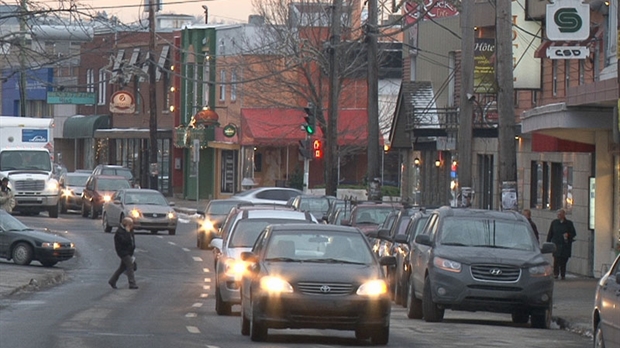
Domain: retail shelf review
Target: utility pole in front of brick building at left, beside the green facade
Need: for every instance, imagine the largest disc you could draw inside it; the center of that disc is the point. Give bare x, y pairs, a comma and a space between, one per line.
153, 148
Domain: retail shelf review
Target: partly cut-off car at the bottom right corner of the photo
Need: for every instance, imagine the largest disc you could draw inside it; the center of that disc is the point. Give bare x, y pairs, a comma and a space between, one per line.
606, 314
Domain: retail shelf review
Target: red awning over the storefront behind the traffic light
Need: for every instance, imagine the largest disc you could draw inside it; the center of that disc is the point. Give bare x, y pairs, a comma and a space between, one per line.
282, 127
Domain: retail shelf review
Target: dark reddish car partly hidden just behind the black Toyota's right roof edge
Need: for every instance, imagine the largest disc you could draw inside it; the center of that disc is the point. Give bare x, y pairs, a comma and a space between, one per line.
368, 216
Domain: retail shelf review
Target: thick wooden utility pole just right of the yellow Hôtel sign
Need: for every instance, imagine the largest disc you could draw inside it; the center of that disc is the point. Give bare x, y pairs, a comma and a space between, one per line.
505, 93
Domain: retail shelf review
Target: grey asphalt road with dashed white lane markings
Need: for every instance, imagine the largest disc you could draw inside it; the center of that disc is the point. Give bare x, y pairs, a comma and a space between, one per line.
175, 307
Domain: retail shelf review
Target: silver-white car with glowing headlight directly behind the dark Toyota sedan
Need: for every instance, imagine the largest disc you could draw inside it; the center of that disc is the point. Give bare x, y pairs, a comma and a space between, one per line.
242, 227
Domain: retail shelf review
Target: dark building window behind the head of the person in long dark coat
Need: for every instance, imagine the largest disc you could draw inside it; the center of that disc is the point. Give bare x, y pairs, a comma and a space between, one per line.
551, 186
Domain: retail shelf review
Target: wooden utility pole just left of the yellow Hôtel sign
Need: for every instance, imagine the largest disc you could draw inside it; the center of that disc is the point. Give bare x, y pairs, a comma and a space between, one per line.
466, 102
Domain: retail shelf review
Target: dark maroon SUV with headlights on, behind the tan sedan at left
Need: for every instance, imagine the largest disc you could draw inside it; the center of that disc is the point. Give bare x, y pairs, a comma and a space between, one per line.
98, 190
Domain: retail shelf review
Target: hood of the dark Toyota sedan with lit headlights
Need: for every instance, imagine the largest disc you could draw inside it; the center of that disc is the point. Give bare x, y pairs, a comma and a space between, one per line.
323, 272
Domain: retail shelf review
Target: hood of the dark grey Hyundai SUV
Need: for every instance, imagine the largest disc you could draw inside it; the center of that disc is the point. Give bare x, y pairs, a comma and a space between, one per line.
474, 255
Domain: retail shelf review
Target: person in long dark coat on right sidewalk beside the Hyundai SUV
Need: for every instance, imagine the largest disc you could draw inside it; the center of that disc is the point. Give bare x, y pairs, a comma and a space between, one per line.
561, 233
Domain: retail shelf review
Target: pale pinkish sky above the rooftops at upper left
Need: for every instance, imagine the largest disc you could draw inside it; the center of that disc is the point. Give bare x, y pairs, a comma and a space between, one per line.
128, 11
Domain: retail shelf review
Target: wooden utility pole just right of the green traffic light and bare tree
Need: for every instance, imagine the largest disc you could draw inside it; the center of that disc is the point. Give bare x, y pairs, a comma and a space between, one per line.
373, 95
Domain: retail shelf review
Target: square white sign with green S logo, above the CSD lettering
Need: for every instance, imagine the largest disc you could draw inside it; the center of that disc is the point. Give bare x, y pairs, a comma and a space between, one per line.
568, 20
